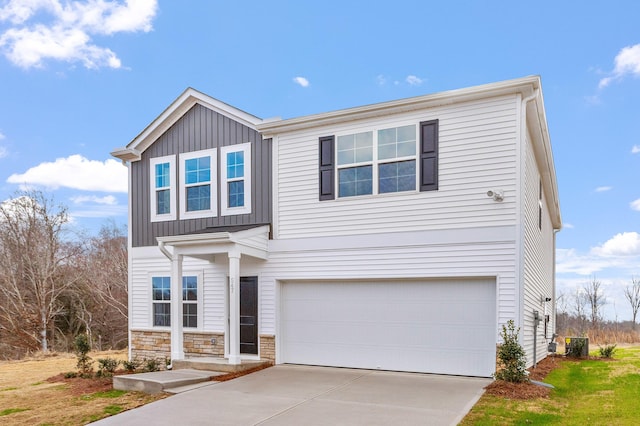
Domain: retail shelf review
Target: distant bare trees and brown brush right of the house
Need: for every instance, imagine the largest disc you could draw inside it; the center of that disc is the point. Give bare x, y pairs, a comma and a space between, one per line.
580, 314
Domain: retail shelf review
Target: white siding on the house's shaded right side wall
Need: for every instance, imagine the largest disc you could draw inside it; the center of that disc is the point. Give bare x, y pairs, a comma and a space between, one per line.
538, 260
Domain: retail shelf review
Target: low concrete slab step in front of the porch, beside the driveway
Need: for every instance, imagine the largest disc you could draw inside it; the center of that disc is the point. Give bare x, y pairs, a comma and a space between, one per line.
160, 381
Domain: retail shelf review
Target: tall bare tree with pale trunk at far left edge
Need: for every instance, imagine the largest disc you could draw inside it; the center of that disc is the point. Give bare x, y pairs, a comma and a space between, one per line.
36, 267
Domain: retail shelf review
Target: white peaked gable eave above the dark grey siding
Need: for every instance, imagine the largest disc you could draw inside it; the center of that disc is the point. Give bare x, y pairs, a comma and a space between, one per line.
190, 97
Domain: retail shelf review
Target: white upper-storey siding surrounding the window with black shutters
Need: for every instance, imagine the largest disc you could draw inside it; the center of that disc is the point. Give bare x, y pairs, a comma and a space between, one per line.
477, 152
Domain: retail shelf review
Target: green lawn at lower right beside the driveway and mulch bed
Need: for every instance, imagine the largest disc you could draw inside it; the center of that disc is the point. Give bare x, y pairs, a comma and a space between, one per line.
588, 392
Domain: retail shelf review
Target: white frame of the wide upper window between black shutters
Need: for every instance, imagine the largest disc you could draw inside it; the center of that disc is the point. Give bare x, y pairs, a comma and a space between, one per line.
375, 162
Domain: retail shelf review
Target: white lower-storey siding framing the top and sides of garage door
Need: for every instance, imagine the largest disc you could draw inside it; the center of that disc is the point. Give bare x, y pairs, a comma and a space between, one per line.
483, 252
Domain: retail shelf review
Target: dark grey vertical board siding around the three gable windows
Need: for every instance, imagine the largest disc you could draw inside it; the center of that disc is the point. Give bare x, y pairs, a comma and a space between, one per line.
200, 128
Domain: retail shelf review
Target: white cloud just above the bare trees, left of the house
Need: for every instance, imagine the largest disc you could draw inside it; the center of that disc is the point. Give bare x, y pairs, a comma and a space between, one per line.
76, 172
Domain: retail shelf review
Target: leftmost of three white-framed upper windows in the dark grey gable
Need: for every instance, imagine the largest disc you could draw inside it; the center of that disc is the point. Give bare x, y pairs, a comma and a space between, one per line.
163, 189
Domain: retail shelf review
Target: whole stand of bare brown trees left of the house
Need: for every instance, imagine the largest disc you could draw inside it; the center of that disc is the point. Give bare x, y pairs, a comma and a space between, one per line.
56, 284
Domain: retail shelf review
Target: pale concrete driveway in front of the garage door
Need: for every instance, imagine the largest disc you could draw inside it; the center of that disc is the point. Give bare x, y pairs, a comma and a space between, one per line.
304, 395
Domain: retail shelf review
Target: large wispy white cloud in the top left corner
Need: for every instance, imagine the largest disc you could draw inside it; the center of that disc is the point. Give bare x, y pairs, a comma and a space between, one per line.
67, 33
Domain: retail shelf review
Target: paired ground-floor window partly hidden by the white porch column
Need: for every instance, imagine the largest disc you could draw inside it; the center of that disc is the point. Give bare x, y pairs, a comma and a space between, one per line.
161, 295
